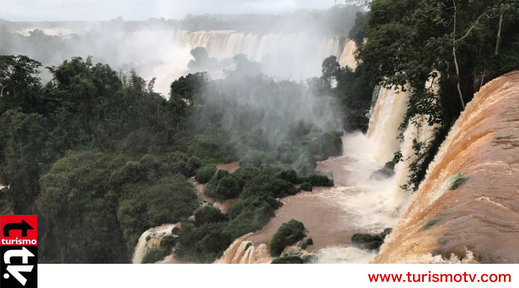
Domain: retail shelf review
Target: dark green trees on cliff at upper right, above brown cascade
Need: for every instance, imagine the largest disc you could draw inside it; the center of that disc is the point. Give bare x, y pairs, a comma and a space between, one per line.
460, 44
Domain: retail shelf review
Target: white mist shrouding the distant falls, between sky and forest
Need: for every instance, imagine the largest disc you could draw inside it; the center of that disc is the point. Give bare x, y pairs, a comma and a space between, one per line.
290, 46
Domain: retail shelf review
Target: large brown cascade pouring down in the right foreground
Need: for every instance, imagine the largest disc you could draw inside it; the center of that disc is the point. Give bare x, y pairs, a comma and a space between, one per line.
477, 218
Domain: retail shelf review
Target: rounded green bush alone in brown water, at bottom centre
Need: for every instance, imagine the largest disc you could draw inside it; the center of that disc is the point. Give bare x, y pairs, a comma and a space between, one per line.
288, 234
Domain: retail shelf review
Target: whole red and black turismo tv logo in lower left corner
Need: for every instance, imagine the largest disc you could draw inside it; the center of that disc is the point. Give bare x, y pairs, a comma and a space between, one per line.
19, 247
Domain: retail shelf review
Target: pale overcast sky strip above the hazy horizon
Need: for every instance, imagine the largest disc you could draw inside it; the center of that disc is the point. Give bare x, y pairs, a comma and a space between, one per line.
39, 10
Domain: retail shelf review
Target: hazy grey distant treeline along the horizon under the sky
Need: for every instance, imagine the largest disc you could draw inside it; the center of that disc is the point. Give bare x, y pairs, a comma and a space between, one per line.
336, 21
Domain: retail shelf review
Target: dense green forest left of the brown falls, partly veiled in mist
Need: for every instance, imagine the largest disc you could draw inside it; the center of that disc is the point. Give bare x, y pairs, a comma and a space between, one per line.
101, 157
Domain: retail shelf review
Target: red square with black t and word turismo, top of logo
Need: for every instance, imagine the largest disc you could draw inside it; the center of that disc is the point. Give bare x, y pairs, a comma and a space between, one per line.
18, 230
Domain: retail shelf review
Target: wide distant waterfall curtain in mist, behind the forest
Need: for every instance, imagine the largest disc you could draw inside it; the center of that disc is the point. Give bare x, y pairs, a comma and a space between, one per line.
297, 55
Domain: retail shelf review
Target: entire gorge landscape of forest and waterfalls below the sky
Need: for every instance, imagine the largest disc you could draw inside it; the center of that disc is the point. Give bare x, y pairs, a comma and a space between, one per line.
313, 137
